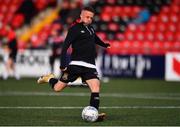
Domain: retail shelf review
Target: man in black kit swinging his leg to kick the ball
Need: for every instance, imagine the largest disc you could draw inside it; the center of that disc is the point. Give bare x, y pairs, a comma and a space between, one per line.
83, 39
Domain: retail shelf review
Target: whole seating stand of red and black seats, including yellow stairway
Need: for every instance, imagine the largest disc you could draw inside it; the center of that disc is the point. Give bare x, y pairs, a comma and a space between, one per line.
159, 34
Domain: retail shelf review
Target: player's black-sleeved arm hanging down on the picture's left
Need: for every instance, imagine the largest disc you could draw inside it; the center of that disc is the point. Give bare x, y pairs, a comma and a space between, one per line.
71, 35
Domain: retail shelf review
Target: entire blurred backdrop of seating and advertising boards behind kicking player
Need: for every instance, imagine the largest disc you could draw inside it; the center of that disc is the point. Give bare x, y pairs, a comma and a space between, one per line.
144, 37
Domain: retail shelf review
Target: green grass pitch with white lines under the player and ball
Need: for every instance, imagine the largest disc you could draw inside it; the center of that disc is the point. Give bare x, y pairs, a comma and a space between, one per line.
127, 102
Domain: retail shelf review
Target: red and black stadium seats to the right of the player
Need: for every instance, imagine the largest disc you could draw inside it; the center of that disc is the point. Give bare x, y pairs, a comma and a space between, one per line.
157, 36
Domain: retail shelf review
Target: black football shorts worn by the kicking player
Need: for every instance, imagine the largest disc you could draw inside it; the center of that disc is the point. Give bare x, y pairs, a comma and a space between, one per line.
74, 71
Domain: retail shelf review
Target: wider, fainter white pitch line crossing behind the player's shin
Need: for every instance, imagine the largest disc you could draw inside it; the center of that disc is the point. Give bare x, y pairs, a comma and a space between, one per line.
160, 96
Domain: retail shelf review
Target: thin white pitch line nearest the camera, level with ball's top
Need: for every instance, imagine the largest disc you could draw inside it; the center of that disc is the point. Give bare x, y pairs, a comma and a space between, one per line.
111, 107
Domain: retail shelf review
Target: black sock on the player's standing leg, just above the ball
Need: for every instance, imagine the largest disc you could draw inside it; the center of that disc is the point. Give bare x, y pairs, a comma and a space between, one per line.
94, 101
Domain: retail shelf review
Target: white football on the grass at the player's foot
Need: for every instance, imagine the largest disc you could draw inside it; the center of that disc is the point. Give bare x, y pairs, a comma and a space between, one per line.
89, 114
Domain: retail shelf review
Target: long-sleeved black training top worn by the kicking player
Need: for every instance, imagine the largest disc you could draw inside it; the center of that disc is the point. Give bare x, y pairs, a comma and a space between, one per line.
83, 40
